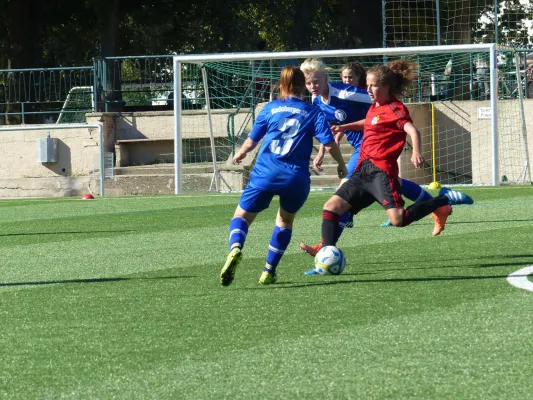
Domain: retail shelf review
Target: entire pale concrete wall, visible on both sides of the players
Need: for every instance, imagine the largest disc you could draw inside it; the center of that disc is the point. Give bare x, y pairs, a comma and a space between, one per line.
21, 175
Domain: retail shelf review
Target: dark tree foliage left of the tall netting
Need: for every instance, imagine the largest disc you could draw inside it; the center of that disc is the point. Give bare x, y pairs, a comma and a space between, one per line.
65, 32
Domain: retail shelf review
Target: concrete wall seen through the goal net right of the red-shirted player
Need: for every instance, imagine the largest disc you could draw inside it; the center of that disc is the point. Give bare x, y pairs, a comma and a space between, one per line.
464, 142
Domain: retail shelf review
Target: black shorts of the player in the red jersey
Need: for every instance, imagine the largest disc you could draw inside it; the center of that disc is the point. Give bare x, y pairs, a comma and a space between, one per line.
369, 184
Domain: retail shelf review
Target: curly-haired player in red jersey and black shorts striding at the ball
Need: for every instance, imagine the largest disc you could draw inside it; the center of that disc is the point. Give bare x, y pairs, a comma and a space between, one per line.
386, 127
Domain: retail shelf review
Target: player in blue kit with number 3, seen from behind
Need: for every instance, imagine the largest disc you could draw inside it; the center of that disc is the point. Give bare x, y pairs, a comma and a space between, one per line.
287, 126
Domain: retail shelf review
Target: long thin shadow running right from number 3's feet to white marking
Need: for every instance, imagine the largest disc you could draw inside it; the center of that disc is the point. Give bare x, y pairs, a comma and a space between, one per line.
294, 285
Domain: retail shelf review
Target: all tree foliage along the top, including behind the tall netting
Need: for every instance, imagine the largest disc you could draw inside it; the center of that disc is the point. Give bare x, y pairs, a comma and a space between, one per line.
65, 32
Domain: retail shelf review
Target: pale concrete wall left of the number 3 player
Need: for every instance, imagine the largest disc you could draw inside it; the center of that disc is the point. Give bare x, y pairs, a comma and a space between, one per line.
22, 176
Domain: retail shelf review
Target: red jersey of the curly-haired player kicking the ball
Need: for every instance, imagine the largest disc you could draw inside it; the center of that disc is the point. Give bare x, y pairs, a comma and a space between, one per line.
384, 137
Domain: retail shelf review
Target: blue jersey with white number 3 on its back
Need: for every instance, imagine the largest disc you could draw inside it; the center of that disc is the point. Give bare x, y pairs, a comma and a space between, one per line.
288, 127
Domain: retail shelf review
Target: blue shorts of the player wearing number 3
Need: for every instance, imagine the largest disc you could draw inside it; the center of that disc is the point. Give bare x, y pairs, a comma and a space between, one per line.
291, 199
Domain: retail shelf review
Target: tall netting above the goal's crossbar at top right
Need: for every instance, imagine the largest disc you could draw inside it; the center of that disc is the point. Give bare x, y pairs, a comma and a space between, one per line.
448, 22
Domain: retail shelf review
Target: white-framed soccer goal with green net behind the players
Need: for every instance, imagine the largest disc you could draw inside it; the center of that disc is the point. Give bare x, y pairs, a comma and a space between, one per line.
462, 99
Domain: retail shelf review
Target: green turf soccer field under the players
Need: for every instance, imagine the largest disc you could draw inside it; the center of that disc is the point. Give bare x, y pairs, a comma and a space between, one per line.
119, 298
